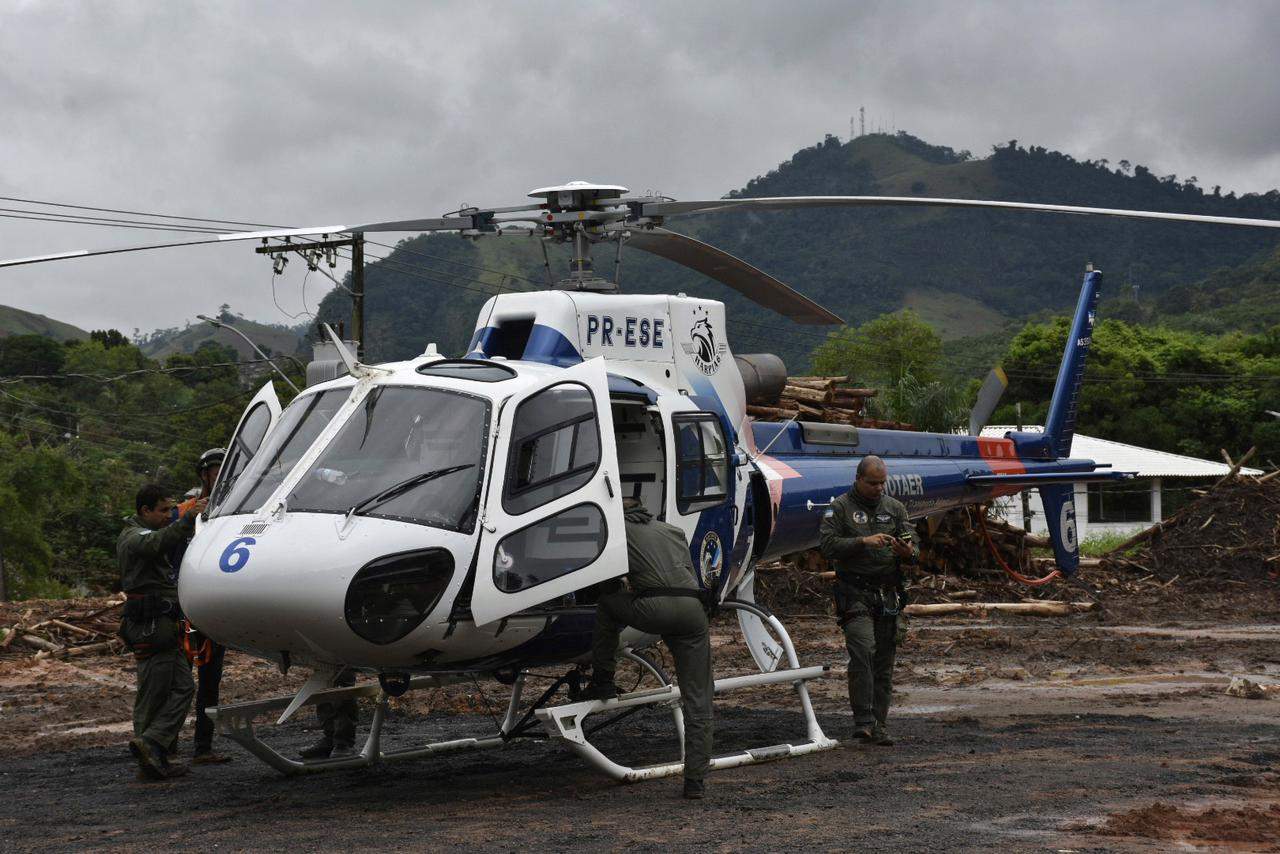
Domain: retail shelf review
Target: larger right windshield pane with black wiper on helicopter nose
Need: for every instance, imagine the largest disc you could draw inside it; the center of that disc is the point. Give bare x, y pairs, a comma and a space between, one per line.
427, 444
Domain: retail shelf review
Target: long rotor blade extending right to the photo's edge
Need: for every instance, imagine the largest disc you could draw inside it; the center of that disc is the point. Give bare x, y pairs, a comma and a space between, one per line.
796, 203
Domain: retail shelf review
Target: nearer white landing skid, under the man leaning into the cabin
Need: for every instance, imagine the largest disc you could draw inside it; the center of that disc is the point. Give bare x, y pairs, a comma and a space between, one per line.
568, 723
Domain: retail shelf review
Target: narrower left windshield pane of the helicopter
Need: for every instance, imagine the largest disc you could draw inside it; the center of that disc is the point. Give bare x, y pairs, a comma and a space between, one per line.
299, 427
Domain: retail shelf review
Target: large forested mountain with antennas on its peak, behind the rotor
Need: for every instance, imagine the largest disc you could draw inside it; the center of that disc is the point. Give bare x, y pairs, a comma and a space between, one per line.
970, 272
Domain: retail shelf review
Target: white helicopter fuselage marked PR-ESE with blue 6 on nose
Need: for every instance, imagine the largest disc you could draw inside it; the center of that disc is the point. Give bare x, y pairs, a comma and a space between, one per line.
566, 404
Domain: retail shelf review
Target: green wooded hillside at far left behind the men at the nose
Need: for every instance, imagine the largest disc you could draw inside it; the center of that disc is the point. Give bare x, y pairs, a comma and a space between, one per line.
83, 426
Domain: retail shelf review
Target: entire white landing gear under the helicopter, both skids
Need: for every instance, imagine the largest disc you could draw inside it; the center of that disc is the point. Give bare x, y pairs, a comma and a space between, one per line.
564, 723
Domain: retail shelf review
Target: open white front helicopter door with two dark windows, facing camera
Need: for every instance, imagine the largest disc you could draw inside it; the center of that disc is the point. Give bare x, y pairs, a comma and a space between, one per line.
554, 515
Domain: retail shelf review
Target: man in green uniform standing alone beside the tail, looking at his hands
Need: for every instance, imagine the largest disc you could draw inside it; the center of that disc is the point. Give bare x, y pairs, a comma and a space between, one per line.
866, 535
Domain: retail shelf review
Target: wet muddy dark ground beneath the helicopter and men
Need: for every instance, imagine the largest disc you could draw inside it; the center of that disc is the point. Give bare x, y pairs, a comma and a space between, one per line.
1075, 734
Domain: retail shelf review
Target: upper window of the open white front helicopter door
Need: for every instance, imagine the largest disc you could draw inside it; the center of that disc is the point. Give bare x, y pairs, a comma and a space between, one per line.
555, 447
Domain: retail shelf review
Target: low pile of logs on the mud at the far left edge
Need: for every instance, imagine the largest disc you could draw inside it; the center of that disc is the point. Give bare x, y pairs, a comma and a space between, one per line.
90, 631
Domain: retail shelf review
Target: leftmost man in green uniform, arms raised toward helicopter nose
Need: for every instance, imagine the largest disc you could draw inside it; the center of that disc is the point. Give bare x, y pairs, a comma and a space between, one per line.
152, 629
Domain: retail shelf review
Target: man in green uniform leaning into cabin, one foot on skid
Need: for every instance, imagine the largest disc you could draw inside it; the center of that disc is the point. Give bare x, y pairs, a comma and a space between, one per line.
665, 600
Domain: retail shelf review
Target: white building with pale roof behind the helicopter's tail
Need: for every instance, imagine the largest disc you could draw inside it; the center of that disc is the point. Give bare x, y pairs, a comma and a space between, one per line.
1163, 485
